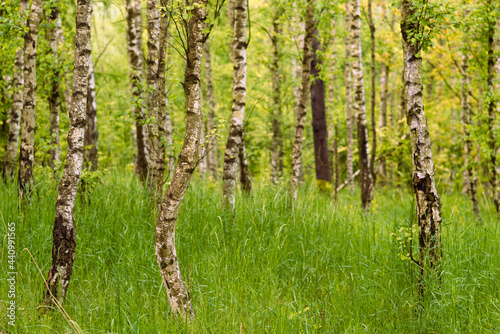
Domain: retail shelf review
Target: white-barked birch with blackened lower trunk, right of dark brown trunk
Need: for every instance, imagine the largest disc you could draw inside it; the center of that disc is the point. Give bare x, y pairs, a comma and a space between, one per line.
360, 108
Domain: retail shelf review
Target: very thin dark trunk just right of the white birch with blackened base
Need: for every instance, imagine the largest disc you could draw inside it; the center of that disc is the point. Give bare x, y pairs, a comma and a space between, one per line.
373, 95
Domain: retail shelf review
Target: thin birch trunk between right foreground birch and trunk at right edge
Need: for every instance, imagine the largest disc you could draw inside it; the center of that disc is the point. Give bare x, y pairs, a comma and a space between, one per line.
469, 178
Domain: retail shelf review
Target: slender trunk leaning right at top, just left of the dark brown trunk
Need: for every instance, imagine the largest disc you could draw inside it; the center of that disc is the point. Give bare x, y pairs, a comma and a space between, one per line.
301, 106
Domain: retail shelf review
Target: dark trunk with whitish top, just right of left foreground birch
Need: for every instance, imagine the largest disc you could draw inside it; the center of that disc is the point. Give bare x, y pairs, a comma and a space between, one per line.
91, 134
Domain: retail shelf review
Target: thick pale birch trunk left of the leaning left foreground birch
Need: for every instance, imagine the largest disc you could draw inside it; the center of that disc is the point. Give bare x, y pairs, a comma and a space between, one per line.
27, 152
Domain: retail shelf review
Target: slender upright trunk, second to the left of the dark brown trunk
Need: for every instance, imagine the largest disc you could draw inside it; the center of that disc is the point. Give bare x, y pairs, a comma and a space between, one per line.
277, 113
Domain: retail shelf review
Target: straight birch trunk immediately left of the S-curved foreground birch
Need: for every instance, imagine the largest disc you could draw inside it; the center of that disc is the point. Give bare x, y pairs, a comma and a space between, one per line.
156, 165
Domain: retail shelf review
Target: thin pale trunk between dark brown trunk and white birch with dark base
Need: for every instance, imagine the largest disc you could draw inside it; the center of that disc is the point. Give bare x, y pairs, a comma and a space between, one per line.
348, 99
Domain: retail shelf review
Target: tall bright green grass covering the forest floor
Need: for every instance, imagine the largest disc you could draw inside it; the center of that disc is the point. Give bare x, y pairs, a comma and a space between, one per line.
322, 268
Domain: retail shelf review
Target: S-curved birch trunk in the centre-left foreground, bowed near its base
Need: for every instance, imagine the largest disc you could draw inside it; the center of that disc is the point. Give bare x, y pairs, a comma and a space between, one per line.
166, 256
